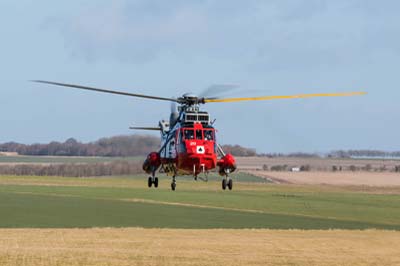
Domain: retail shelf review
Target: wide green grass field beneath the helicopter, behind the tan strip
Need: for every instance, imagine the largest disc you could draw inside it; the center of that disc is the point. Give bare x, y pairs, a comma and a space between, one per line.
55, 202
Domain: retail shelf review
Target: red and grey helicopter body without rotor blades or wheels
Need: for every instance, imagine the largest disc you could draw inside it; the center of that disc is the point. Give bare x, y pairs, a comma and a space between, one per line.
189, 148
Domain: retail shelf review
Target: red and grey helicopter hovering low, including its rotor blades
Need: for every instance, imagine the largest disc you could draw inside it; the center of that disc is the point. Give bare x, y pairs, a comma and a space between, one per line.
188, 140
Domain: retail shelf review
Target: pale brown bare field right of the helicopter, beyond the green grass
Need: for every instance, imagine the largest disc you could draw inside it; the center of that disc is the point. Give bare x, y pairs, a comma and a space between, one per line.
321, 171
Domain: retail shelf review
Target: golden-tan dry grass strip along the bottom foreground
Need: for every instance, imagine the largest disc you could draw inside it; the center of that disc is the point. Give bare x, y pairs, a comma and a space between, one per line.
135, 246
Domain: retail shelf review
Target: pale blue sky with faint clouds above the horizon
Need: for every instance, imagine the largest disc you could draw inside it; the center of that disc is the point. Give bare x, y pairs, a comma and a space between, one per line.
167, 48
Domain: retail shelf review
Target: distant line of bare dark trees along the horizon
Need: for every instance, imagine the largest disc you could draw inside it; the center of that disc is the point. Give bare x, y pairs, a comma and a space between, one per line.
141, 145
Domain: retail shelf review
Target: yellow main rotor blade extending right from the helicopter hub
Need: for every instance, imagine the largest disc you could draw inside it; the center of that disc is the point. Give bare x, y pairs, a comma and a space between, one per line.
298, 96
